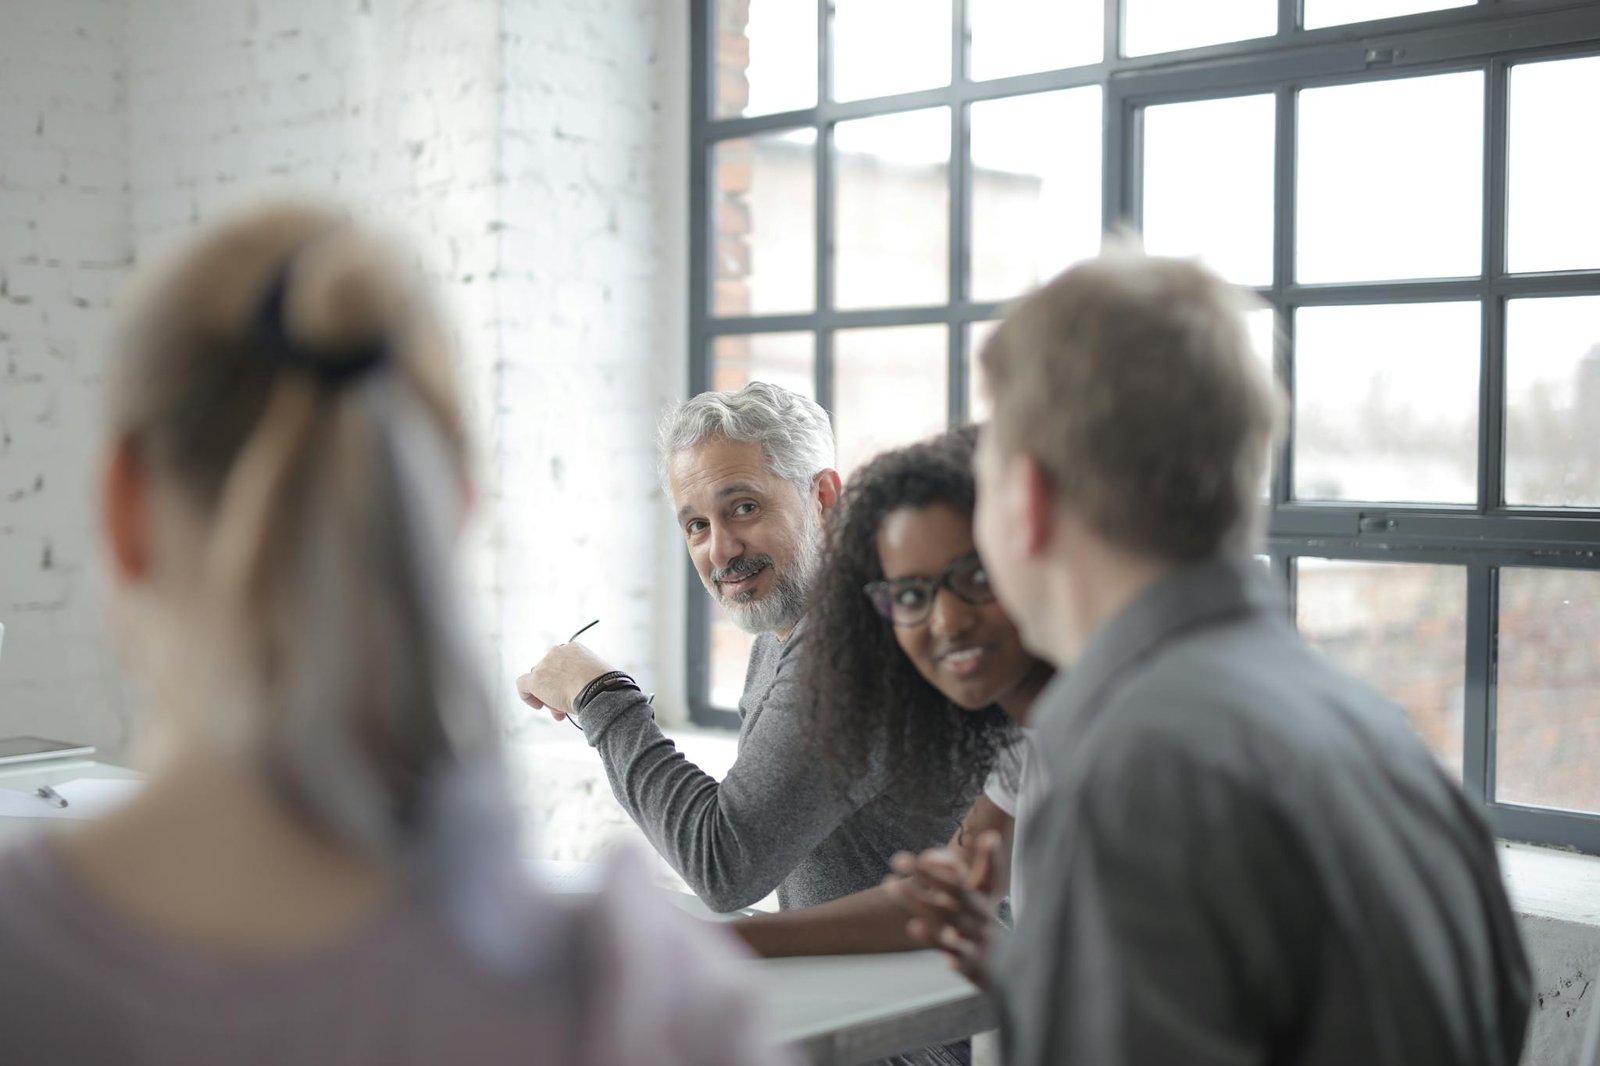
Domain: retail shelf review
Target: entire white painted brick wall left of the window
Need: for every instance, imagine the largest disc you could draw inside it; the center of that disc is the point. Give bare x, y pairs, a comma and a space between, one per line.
534, 150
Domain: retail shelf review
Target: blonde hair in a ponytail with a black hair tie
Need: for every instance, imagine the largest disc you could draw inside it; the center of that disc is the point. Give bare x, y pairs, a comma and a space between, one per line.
294, 383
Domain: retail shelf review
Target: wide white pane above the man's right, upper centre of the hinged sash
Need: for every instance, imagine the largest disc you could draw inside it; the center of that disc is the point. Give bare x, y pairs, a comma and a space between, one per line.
1391, 180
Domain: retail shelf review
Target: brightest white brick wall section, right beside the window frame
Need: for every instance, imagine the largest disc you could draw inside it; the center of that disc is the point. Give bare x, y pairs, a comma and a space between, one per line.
593, 300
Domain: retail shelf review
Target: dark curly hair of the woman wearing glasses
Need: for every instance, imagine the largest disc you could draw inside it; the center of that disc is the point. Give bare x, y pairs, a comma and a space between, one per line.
871, 702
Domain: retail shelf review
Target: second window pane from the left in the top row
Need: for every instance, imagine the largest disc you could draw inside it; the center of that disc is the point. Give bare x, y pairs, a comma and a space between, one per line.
886, 47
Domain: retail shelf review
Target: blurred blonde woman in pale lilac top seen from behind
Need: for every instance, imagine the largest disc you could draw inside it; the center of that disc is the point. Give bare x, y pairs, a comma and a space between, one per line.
322, 867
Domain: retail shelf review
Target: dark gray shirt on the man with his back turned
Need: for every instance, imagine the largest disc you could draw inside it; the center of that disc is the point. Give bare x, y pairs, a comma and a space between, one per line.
1249, 857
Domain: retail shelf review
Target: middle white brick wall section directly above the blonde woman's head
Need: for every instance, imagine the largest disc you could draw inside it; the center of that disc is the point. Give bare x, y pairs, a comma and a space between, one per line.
388, 105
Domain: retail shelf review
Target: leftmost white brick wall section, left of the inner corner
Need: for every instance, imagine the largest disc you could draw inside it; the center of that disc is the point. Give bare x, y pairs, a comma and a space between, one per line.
63, 250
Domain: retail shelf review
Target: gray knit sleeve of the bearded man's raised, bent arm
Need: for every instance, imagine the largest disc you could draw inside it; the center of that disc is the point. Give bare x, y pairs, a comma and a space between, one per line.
732, 841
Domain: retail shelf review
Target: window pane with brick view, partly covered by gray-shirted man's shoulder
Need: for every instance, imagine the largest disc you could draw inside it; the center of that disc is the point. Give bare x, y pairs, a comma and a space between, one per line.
1402, 630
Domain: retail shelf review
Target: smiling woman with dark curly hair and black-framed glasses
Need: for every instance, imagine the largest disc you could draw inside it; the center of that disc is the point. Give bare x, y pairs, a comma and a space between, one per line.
914, 663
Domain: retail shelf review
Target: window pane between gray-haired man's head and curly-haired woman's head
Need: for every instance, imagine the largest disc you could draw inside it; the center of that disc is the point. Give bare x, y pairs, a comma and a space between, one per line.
890, 388
